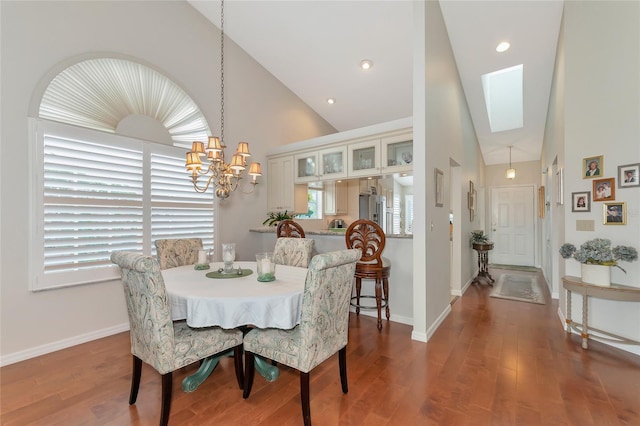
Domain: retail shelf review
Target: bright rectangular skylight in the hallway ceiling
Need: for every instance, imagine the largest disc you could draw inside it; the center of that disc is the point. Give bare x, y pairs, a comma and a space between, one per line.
503, 98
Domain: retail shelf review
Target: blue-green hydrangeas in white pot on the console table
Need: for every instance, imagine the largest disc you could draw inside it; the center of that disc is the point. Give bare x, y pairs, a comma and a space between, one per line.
596, 258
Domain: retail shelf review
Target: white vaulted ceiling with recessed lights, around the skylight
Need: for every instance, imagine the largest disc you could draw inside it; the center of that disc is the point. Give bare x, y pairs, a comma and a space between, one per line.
315, 49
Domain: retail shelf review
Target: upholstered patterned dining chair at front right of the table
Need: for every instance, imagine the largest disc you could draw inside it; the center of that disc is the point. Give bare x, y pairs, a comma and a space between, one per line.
323, 328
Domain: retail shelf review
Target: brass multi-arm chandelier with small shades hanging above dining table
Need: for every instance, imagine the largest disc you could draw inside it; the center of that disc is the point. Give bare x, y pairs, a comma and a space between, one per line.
225, 177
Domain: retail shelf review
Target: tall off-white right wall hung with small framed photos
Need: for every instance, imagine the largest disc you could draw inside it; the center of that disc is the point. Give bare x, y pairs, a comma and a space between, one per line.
597, 114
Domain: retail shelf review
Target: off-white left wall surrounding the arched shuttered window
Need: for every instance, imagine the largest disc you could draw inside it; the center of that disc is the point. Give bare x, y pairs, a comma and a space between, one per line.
39, 39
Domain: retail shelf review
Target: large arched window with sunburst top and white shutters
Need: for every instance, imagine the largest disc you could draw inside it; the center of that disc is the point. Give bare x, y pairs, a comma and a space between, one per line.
108, 170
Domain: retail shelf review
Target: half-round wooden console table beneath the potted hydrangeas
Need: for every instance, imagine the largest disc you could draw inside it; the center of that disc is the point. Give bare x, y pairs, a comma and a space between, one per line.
613, 292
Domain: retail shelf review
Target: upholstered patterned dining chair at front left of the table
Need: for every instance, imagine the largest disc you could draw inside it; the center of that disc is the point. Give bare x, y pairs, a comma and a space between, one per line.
157, 340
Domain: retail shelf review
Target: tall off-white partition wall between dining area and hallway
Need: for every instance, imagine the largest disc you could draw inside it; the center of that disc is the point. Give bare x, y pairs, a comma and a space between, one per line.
443, 132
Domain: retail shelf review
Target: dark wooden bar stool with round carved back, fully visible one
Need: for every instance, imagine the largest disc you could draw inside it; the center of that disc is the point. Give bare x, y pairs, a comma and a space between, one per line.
369, 238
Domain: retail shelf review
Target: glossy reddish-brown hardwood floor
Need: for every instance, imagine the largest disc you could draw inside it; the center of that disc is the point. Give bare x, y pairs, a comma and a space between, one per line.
492, 362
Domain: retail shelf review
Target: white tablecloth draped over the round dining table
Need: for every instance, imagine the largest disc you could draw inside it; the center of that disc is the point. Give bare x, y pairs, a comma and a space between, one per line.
234, 302
